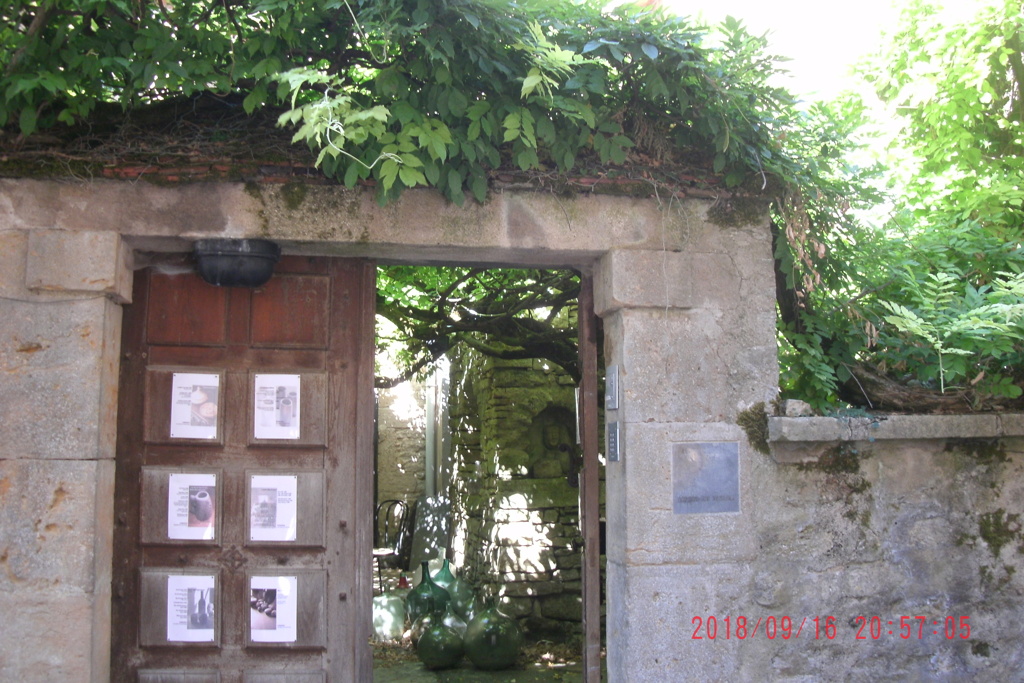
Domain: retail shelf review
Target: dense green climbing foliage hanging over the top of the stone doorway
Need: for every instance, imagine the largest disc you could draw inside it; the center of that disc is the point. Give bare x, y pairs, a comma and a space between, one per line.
410, 94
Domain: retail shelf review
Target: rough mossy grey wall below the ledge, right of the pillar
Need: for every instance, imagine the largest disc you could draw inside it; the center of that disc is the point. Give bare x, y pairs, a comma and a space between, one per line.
928, 530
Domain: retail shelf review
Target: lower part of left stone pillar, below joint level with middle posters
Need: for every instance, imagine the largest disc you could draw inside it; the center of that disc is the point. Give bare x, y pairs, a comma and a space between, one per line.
56, 569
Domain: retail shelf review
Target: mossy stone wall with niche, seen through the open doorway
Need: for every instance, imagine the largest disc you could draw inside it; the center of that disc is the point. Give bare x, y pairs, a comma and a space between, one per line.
517, 507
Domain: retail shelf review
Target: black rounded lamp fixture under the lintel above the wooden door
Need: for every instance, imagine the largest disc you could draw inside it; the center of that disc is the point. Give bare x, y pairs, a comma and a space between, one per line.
236, 263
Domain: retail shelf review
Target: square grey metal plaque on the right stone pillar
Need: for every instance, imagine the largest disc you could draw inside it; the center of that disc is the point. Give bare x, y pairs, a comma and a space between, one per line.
706, 478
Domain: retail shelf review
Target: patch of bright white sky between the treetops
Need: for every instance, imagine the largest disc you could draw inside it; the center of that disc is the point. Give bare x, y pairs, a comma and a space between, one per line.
823, 37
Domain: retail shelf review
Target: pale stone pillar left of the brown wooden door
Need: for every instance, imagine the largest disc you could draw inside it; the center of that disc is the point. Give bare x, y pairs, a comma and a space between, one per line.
60, 339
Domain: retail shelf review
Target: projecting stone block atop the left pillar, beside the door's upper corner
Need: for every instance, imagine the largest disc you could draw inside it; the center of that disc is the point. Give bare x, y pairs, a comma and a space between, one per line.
79, 264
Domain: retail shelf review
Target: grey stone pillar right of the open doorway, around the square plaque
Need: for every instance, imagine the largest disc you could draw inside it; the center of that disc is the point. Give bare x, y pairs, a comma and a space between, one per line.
693, 333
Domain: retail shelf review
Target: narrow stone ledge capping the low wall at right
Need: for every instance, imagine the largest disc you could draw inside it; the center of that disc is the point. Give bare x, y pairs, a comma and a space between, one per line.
805, 440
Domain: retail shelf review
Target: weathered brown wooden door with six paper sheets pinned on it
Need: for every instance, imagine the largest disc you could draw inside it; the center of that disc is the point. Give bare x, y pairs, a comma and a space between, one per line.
244, 479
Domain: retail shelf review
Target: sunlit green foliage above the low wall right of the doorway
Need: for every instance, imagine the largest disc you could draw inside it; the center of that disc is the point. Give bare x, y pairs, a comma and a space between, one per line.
929, 298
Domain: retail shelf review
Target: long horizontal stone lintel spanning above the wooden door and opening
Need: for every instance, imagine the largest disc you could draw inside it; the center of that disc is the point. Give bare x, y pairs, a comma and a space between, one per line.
509, 230
